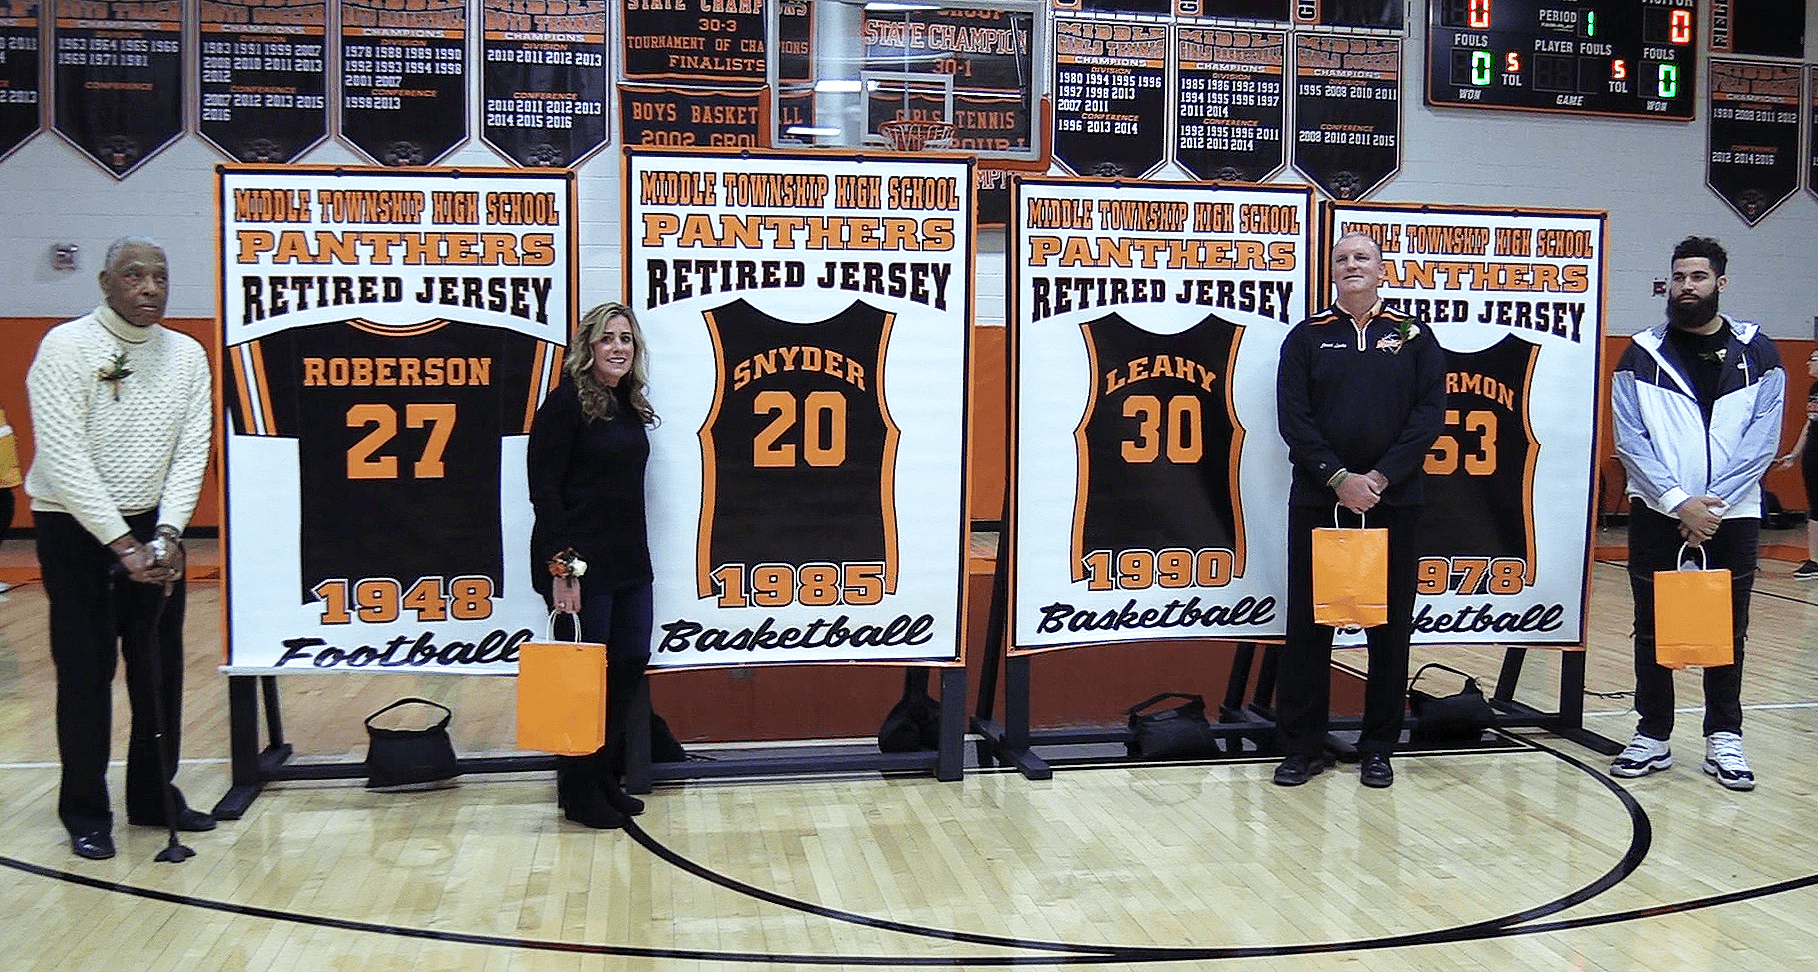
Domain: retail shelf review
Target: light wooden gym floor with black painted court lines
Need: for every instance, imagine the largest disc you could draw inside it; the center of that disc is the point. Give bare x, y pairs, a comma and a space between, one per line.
1524, 858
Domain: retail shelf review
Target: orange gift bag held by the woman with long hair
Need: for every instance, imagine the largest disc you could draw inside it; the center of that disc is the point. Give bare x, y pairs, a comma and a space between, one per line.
563, 695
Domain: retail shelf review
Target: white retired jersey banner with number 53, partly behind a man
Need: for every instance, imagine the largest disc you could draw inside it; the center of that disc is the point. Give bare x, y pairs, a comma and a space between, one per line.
1515, 297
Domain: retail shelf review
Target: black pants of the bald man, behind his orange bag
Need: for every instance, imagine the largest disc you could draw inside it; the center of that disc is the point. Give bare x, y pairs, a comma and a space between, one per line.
1304, 673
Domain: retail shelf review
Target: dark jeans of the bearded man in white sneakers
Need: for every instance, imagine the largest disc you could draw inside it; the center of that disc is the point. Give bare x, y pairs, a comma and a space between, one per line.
1655, 546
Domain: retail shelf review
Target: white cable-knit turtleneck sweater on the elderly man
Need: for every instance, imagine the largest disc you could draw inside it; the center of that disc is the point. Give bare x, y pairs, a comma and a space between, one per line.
101, 459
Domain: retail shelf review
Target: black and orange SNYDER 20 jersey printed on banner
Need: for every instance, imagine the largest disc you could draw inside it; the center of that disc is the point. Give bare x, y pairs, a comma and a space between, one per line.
799, 450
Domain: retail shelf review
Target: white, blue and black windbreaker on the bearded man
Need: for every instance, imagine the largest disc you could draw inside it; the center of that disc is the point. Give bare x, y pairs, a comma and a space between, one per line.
1663, 437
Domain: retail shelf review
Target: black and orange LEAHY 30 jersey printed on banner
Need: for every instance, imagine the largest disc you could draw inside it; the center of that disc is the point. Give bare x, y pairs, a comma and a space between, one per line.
1159, 444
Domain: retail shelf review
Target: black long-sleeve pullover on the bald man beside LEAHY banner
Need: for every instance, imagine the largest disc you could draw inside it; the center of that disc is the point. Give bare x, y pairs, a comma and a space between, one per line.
1359, 402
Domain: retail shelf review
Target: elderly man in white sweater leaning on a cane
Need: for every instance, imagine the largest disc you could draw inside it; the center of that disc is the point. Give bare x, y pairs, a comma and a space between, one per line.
121, 413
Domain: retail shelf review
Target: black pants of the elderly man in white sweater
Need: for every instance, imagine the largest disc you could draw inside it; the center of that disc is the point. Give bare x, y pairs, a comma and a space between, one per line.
99, 615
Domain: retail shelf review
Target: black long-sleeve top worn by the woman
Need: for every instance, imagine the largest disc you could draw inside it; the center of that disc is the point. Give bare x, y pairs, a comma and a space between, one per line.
588, 493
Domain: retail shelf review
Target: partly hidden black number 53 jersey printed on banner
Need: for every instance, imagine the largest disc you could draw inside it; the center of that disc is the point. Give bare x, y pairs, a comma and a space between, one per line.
1481, 473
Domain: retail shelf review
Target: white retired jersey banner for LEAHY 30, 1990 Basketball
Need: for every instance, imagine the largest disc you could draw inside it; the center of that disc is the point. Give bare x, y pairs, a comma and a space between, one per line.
1152, 482
